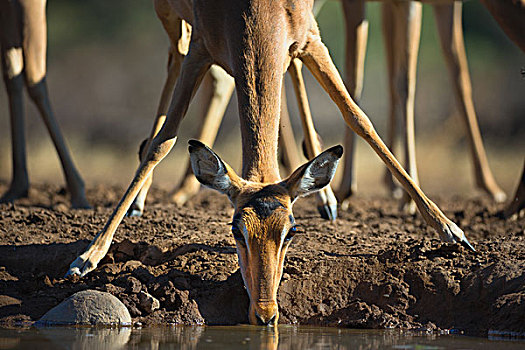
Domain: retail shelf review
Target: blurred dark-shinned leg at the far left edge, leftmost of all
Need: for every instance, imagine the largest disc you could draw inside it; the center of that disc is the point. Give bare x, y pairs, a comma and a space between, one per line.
12, 68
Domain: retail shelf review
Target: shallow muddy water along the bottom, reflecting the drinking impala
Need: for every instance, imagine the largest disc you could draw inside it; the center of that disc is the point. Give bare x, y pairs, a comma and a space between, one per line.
238, 337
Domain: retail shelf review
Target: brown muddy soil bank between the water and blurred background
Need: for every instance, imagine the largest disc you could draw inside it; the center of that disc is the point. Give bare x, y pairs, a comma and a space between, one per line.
372, 268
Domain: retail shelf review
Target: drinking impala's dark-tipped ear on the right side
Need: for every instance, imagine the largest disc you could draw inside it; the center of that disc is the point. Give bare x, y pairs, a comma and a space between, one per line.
315, 174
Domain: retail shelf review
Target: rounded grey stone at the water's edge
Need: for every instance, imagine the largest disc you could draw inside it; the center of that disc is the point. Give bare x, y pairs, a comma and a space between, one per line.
88, 307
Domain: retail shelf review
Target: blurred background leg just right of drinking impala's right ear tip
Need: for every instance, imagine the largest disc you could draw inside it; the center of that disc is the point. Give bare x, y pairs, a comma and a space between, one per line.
356, 39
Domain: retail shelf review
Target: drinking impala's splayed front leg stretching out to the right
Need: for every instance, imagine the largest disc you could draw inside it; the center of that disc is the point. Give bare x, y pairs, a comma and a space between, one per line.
318, 60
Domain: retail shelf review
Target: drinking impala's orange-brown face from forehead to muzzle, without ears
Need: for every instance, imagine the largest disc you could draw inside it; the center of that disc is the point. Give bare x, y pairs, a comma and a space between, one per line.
263, 214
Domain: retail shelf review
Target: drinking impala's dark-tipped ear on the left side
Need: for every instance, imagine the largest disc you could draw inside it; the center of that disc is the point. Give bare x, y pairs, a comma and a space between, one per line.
211, 171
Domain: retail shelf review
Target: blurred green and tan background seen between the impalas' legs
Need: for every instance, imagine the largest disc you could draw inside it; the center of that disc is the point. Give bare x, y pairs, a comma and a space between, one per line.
106, 67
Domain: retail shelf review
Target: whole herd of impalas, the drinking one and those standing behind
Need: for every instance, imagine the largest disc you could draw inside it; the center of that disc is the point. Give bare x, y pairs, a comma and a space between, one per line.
256, 42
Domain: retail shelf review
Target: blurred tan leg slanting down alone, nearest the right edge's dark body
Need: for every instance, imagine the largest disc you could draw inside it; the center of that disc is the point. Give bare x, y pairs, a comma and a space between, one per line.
448, 19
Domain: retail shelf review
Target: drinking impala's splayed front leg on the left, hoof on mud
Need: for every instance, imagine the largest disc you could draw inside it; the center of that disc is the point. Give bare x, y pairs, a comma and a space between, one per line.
193, 69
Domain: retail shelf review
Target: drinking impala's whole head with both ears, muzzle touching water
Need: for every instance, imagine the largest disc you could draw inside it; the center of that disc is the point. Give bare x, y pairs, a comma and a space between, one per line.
263, 224
